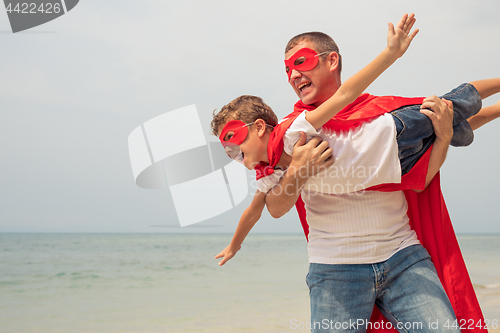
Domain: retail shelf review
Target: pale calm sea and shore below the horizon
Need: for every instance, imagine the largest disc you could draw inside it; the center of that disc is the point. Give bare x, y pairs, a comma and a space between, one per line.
172, 283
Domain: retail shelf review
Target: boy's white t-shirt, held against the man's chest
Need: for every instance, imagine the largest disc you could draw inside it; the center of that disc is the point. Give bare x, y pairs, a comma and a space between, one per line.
364, 156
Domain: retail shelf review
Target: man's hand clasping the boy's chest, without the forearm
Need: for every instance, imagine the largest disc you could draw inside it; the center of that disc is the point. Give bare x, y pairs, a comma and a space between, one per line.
310, 158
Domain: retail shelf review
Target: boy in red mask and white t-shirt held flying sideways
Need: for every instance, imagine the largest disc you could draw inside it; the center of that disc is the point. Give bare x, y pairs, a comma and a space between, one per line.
251, 147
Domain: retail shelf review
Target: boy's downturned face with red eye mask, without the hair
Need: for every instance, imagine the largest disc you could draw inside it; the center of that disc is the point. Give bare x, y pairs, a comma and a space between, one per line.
254, 146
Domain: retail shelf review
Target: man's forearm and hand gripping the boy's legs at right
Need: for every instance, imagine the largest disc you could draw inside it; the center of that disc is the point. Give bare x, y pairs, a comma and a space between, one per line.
442, 120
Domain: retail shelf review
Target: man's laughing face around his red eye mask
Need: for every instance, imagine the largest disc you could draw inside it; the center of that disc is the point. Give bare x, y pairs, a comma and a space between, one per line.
316, 85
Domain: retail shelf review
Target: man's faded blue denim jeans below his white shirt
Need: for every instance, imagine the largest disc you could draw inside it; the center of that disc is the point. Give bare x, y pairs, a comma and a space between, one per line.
405, 288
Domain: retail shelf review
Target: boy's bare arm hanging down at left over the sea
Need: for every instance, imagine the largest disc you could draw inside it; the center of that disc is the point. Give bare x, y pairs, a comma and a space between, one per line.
248, 219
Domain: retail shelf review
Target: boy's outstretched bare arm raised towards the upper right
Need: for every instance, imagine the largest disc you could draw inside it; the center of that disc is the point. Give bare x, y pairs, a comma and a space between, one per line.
398, 41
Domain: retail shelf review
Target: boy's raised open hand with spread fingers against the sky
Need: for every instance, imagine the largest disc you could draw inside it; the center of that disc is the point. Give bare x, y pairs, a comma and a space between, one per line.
399, 38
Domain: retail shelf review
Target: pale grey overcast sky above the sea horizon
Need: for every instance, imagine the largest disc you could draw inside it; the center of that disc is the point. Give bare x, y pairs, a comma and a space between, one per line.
73, 89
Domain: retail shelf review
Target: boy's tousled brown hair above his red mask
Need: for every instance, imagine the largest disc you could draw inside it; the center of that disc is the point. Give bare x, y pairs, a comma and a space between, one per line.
245, 108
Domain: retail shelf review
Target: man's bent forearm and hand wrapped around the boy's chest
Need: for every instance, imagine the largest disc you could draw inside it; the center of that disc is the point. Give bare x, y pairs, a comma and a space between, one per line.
307, 160
